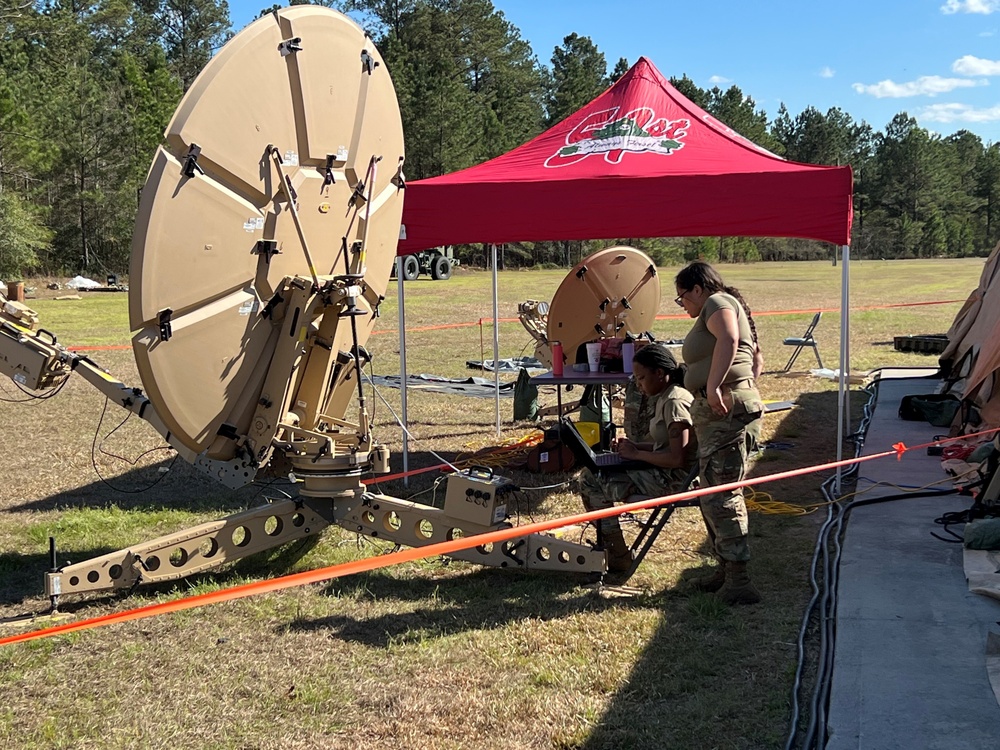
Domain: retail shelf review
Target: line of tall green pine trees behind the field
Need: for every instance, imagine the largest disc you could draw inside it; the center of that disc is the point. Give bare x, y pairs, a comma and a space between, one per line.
87, 88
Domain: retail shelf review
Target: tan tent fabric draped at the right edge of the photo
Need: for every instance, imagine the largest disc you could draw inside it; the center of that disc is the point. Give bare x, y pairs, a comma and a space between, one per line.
971, 360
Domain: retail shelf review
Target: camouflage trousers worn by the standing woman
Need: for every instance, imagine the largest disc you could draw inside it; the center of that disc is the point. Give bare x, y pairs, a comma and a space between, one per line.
723, 445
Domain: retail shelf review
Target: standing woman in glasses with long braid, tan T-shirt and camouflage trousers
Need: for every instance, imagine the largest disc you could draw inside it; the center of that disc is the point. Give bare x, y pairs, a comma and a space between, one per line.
723, 360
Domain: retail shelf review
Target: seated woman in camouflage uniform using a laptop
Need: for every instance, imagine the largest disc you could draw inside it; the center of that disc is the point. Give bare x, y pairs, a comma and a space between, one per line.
671, 451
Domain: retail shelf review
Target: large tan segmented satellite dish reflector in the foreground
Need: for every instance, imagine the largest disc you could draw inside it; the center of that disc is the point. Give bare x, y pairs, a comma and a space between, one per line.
277, 163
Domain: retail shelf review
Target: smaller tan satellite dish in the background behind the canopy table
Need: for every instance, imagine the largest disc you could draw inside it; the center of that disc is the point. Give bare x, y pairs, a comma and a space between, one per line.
607, 294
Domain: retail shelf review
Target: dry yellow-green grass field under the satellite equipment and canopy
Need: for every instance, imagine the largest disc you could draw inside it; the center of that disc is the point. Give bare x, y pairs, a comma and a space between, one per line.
429, 654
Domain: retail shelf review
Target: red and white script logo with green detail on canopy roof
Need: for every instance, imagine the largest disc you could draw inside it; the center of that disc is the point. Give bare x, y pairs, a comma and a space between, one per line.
612, 136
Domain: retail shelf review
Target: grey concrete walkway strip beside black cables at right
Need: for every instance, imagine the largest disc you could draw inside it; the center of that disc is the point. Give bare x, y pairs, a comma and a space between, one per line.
911, 665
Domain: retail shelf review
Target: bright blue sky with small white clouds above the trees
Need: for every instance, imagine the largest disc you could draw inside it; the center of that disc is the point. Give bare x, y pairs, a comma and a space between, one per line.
937, 60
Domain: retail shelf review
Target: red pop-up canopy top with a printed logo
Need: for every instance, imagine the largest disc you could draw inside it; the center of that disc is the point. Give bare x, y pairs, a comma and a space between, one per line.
640, 160
